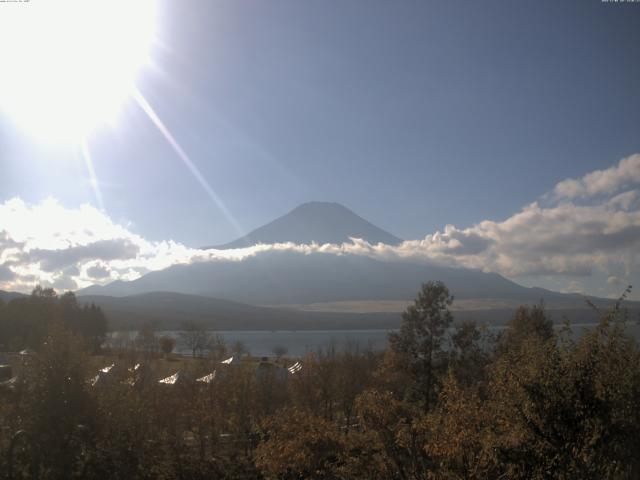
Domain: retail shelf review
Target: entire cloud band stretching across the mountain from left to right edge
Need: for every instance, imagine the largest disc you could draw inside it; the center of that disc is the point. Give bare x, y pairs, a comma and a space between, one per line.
584, 228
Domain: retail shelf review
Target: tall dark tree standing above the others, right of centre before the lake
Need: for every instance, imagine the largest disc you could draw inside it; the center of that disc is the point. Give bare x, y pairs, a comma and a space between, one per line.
418, 344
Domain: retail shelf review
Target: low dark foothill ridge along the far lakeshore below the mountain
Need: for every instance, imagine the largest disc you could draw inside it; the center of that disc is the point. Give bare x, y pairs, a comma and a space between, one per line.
169, 310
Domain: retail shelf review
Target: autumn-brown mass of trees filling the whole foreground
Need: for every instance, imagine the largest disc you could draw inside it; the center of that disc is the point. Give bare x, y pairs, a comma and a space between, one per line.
444, 401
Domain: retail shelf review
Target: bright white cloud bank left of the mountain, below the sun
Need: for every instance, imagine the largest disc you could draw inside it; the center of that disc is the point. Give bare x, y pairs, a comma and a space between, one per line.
63, 247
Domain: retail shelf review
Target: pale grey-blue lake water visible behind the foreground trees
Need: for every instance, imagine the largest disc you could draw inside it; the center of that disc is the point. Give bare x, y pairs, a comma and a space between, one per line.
299, 342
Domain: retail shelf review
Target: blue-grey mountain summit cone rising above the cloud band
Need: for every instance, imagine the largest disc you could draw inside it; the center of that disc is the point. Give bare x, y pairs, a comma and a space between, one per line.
320, 222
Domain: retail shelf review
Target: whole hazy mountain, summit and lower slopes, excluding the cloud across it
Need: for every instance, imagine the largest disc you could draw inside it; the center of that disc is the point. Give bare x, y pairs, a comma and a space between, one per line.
292, 277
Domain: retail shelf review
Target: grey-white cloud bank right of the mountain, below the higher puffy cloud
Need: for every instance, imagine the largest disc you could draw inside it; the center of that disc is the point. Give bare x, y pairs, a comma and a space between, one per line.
565, 239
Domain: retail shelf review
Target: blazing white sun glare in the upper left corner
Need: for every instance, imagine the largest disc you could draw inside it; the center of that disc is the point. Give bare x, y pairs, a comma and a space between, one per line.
67, 66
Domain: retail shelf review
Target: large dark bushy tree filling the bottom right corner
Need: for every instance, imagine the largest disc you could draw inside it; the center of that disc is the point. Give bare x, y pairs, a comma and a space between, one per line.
569, 409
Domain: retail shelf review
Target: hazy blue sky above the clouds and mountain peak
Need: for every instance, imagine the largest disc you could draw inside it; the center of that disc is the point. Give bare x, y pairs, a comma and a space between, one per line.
414, 114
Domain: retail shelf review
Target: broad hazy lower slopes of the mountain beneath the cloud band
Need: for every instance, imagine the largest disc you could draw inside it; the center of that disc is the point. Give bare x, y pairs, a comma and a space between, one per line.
287, 277
